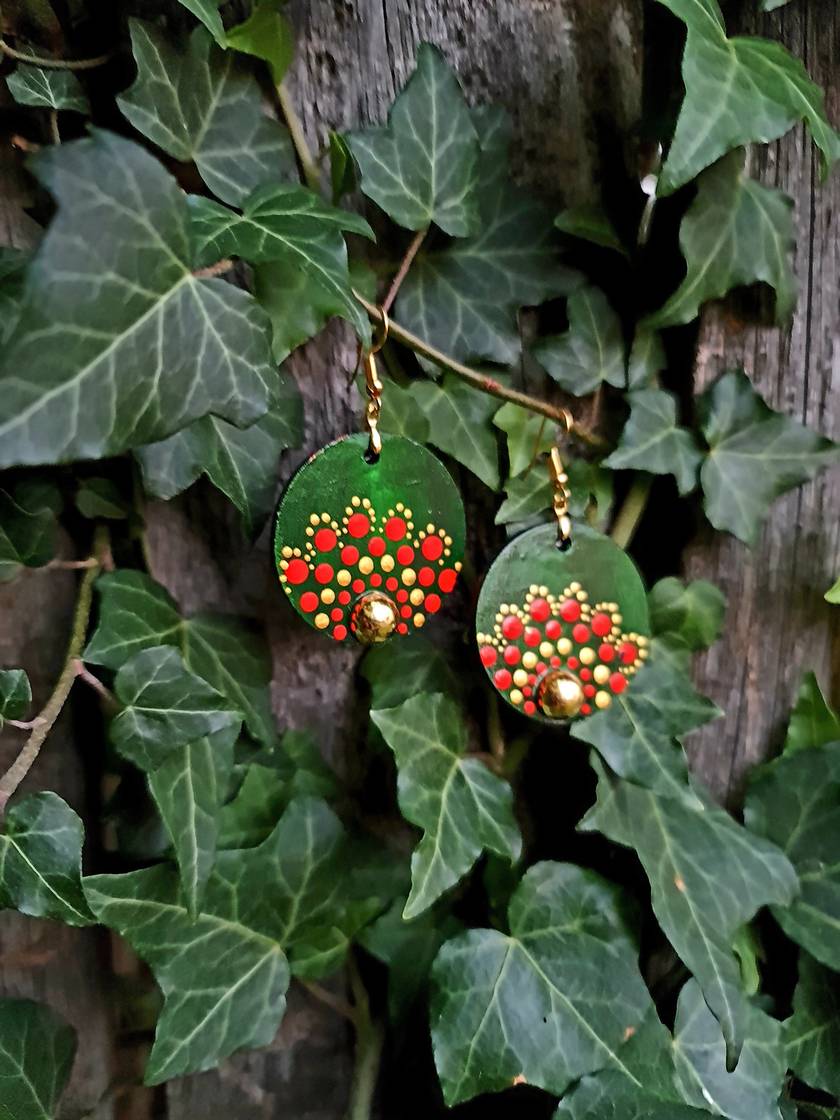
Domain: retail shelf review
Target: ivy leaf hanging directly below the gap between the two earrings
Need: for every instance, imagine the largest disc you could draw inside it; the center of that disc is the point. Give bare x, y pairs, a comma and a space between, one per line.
462, 808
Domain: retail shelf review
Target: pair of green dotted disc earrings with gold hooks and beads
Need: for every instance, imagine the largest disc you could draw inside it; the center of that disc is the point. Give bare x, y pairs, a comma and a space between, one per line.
370, 542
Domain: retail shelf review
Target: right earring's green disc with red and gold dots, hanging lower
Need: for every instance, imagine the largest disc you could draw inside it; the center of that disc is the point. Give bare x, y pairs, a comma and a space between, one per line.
578, 618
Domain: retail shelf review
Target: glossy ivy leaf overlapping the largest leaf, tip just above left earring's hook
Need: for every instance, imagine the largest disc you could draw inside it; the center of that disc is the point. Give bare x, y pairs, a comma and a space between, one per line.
295, 228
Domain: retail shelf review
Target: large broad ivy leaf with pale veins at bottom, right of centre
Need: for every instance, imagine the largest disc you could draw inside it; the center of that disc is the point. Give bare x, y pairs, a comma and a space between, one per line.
568, 970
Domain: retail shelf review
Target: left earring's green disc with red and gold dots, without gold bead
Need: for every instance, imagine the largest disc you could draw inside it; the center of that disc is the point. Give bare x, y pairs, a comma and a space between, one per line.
348, 529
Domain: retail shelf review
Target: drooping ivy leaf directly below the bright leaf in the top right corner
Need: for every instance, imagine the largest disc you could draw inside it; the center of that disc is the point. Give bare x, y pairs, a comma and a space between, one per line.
736, 232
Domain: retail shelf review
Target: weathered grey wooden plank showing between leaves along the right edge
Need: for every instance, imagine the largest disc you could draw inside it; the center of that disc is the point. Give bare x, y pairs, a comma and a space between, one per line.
778, 623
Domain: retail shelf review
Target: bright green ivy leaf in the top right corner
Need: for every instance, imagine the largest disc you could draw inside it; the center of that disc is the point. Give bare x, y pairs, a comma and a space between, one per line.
739, 91
